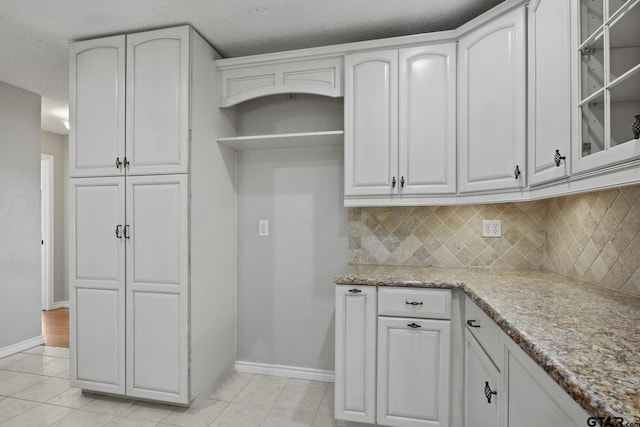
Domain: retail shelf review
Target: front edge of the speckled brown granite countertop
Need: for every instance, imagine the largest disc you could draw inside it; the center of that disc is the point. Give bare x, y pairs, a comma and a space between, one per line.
563, 377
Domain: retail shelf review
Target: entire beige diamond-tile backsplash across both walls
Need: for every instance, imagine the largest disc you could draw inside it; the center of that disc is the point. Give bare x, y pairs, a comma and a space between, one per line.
594, 237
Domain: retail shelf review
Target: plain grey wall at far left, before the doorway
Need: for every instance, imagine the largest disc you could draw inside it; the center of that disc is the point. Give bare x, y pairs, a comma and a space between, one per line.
20, 287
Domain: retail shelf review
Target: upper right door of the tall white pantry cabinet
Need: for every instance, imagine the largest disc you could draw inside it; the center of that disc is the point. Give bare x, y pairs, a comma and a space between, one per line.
158, 101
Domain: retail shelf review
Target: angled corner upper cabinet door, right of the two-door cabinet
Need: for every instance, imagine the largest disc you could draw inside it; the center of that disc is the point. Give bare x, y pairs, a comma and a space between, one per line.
492, 105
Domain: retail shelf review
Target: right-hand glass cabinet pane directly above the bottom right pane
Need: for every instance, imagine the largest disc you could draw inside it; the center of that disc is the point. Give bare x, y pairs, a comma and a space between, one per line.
624, 42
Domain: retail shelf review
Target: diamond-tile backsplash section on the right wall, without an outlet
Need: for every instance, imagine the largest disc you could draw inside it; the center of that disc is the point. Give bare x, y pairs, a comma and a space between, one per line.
596, 237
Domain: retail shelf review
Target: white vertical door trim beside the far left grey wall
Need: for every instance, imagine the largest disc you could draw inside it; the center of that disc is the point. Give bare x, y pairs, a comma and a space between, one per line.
47, 224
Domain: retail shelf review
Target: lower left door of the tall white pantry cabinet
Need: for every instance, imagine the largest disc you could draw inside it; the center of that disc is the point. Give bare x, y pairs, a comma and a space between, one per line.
97, 284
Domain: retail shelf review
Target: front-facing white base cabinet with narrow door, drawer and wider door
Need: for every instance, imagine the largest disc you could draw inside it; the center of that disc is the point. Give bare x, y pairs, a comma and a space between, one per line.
403, 380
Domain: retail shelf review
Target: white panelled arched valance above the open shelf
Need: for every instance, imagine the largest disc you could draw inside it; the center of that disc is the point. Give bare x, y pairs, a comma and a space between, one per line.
317, 76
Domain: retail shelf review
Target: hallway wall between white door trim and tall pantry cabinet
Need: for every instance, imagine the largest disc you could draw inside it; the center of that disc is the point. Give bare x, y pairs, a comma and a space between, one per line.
57, 146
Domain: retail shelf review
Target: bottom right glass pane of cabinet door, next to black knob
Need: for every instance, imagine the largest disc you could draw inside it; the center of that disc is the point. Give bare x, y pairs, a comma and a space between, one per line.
625, 105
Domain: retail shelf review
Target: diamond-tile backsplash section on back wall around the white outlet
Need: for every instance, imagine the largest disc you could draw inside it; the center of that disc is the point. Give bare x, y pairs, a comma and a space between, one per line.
448, 236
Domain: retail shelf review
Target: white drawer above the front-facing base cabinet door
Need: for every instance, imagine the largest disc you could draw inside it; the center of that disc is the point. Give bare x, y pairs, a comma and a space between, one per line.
411, 302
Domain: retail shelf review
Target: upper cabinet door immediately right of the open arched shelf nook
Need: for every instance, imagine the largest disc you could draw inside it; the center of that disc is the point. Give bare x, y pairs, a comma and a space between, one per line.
371, 123
